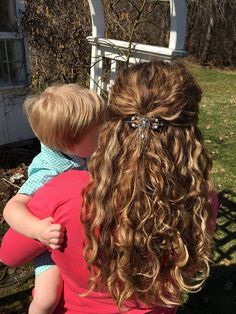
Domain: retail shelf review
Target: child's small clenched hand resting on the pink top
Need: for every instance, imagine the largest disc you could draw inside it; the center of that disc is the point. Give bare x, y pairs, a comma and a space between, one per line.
49, 233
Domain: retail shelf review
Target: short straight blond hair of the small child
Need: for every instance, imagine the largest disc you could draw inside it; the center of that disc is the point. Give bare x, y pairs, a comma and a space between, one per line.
62, 113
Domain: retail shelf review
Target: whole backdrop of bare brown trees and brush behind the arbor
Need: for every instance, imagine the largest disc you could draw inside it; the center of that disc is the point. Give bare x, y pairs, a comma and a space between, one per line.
57, 32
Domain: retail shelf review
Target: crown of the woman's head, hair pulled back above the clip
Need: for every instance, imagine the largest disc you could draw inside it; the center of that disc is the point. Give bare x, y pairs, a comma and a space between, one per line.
156, 89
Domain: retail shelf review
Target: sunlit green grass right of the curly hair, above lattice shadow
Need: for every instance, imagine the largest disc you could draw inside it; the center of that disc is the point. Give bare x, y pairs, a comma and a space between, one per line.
218, 122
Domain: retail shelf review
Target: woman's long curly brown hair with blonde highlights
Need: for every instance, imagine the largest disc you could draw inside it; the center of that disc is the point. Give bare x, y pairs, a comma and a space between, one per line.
146, 209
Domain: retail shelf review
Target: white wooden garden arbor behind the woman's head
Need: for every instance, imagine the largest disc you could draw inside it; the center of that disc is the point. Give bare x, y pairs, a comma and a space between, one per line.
117, 50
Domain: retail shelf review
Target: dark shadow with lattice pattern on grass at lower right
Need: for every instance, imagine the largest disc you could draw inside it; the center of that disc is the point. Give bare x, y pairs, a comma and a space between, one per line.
218, 296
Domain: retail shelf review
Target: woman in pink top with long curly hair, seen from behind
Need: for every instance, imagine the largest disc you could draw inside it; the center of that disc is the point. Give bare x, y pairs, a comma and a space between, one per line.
139, 224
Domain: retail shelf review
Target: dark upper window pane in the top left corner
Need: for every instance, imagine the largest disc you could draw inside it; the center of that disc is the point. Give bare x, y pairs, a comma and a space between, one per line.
7, 15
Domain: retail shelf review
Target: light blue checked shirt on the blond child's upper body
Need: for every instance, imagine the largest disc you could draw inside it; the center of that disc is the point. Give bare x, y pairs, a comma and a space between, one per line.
46, 165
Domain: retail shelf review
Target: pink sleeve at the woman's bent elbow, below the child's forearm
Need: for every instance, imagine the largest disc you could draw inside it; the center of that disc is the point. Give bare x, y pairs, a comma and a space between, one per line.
17, 249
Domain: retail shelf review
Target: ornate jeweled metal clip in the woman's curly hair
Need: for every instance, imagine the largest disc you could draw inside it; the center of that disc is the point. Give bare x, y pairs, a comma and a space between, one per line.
142, 123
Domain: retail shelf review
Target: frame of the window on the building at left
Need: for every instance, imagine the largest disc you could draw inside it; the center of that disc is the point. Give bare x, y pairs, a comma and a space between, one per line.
16, 10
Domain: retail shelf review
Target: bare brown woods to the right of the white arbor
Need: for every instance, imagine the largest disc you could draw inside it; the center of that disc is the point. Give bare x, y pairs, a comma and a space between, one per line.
211, 34
